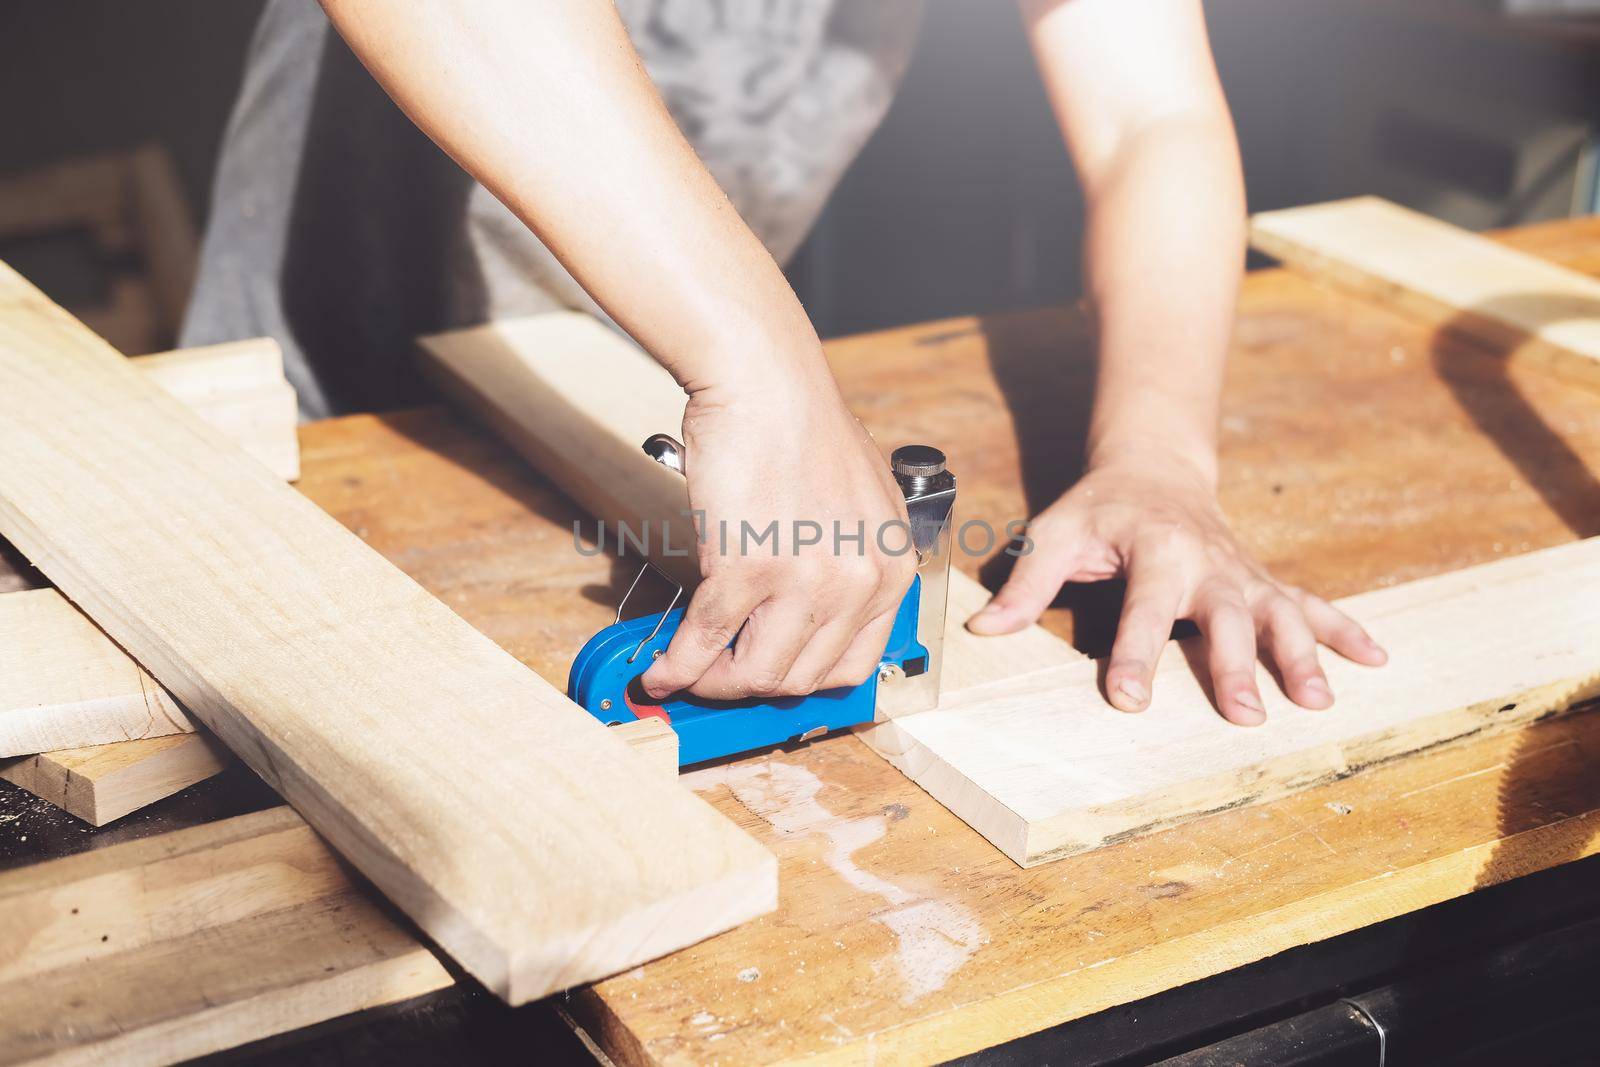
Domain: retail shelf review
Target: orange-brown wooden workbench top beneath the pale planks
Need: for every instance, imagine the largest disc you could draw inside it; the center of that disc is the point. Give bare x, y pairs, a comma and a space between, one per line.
1358, 452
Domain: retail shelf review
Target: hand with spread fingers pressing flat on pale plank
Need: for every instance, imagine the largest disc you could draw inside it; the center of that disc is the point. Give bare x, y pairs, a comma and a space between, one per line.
1156, 521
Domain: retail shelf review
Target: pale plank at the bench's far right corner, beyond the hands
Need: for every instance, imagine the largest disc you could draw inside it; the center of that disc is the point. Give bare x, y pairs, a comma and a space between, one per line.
1452, 278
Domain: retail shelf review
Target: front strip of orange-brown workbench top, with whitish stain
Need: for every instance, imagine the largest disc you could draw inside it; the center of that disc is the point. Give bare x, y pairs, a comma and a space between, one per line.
906, 940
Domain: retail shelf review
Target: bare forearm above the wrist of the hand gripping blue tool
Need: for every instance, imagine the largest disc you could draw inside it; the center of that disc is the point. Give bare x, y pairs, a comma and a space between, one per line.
550, 108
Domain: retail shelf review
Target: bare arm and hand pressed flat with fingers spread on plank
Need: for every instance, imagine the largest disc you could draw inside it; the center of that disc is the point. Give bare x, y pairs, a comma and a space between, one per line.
1143, 114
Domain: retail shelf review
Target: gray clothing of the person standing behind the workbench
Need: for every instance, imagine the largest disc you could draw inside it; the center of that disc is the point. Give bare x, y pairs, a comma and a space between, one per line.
342, 231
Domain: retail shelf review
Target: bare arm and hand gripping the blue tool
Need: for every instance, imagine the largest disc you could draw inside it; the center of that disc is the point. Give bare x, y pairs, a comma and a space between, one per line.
548, 105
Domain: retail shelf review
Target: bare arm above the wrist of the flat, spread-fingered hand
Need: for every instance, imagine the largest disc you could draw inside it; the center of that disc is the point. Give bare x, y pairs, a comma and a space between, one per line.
1143, 116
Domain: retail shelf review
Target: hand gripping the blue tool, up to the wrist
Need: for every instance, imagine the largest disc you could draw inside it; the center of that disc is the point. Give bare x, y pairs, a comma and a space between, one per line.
807, 617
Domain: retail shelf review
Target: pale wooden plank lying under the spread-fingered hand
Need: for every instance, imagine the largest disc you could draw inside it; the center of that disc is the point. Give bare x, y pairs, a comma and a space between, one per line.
1047, 769
